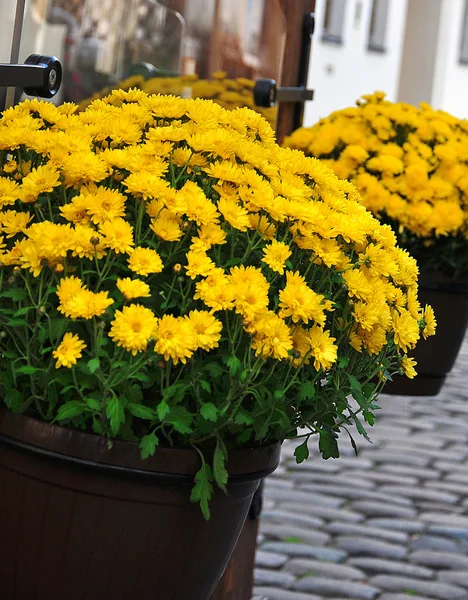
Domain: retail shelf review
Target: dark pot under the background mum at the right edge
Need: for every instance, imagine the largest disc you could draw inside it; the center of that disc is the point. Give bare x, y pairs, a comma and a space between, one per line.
436, 355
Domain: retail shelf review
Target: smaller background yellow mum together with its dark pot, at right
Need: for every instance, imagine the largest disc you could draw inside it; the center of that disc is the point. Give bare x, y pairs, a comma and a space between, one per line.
410, 165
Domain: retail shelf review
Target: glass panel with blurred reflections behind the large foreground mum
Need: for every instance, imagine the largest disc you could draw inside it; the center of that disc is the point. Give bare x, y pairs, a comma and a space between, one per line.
199, 48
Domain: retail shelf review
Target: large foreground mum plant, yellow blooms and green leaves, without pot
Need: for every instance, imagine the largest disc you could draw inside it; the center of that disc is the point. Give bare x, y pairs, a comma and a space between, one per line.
170, 275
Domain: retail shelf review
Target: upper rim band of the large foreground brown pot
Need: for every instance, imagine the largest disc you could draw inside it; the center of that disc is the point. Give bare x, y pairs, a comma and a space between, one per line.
91, 451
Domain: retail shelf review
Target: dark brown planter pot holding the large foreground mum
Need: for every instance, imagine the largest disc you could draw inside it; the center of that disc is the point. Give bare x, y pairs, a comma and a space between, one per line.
82, 522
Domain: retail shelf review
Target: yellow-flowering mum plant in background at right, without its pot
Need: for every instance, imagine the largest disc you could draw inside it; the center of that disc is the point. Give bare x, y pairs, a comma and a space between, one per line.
410, 165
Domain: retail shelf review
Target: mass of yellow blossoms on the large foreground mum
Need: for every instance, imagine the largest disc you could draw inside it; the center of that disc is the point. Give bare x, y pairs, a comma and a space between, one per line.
183, 204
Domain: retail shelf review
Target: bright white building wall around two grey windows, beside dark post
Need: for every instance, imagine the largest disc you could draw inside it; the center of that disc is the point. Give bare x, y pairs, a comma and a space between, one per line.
340, 74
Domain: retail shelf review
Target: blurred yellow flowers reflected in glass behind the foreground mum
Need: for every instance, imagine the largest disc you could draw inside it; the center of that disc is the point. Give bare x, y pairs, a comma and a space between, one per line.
228, 93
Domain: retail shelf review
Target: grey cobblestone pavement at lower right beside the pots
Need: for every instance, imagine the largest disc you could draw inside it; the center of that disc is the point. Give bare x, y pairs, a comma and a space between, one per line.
391, 524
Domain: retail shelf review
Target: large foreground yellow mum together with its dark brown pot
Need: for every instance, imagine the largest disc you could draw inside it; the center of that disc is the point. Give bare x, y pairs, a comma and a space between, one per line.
178, 295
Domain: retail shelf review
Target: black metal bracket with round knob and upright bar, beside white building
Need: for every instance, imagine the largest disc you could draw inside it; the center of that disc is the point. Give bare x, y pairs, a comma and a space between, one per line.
266, 91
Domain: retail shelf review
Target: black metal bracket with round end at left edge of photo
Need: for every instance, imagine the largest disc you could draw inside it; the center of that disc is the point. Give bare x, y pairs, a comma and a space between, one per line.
39, 76
